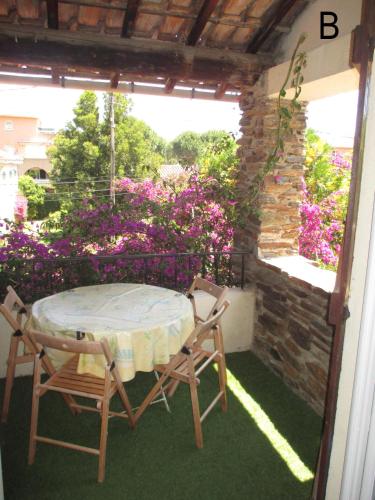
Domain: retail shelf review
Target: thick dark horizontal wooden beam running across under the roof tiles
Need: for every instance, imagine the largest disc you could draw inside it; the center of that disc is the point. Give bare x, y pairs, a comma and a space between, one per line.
139, 57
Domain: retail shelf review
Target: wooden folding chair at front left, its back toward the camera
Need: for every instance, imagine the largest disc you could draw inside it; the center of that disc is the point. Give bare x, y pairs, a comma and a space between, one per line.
68, 381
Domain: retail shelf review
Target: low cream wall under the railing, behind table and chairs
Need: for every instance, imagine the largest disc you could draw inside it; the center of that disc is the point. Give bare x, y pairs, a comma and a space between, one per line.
238, 323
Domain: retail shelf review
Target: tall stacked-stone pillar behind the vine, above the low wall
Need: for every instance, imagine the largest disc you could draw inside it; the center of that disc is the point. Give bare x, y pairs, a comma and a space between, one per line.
276, 230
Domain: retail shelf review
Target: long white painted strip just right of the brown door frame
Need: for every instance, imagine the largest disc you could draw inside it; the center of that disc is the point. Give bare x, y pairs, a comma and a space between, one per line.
356, 300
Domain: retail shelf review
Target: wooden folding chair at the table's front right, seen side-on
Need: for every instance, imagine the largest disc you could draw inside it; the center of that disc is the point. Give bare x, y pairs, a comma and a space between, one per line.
188, 364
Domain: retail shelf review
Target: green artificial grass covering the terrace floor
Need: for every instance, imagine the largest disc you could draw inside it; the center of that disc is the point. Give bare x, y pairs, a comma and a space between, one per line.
158, 460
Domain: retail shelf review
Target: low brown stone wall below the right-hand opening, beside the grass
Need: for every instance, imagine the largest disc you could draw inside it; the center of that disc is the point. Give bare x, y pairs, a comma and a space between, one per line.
291, 334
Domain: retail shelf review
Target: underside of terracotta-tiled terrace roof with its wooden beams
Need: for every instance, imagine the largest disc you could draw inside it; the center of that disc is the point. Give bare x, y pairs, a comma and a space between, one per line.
210, 46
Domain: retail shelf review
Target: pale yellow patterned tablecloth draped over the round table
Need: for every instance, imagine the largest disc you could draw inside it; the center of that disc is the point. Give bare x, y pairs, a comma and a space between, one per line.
143, 324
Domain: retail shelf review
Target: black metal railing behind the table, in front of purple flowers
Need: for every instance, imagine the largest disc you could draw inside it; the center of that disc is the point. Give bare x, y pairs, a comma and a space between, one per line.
37, 278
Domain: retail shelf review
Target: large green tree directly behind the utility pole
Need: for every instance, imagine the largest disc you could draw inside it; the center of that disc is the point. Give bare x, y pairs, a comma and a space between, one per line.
80, 155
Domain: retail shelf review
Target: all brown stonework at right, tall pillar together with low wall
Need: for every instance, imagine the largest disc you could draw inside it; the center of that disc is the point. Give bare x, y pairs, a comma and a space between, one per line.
291, 334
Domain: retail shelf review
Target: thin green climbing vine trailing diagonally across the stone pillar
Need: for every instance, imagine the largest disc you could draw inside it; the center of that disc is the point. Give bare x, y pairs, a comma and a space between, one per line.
285, 112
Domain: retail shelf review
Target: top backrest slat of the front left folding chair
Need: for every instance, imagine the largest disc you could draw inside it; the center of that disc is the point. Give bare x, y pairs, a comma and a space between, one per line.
71, 345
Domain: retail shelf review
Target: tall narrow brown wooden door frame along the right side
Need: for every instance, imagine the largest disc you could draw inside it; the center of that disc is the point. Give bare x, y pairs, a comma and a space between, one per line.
361, 58
